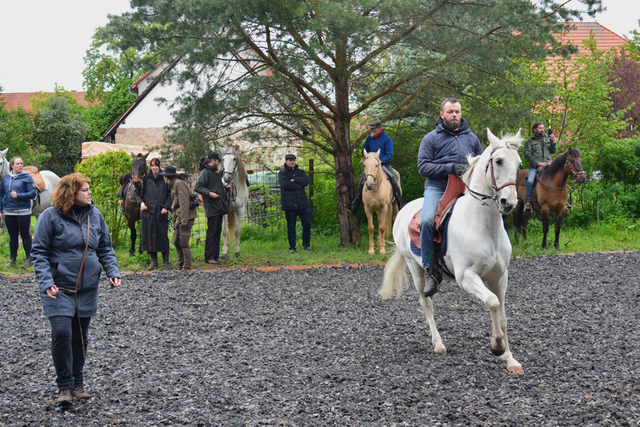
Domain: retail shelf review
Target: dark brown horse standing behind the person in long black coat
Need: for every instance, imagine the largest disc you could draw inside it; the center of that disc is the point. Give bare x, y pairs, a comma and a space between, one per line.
131, 204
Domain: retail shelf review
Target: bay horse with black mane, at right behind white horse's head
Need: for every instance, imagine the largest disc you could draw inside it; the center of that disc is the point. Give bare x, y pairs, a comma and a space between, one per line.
549, 194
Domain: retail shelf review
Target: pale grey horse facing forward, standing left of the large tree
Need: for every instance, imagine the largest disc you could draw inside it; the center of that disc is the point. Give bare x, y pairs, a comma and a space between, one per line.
234, 173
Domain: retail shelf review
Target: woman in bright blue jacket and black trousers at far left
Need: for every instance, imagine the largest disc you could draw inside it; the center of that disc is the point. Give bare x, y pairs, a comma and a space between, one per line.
16, 192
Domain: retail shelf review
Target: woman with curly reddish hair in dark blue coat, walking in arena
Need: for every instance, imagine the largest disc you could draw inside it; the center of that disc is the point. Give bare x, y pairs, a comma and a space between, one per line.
69, 287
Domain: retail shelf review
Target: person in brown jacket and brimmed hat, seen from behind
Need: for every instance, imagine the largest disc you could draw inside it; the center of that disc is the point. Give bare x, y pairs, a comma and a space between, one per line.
183, 216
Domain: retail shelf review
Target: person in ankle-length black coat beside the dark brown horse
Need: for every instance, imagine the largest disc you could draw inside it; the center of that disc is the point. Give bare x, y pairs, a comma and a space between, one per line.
154, 216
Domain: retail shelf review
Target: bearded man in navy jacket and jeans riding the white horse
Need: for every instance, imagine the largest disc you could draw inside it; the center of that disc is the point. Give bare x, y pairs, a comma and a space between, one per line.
443, 151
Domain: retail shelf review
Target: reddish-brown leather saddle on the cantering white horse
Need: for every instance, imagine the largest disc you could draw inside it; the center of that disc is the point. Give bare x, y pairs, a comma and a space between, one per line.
455, 188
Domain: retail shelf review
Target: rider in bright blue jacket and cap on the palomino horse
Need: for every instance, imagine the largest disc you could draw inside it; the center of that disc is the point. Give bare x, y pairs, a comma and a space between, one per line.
378, 140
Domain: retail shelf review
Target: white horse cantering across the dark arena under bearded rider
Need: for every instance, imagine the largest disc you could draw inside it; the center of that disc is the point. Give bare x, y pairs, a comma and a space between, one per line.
478, 248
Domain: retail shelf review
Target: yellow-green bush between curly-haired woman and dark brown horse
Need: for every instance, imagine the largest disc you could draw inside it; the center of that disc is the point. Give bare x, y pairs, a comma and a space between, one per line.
104, 170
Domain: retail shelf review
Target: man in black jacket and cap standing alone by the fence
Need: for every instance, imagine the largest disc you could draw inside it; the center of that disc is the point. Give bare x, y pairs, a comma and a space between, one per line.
294, 201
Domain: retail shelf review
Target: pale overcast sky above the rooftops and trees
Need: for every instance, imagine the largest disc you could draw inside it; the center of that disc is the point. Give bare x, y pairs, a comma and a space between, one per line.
43, 42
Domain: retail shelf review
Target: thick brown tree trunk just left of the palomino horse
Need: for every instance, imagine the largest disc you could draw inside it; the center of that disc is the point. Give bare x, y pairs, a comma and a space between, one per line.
349, 227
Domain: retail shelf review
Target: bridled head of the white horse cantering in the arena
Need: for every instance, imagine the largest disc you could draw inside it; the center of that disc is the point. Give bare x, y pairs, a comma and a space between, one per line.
496, 172
